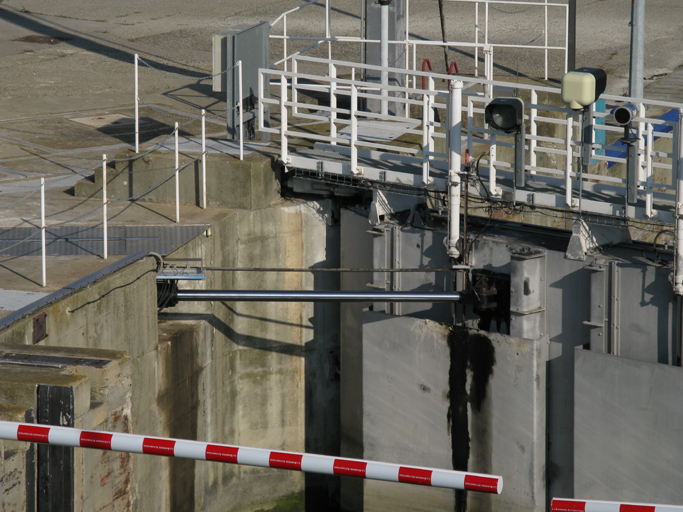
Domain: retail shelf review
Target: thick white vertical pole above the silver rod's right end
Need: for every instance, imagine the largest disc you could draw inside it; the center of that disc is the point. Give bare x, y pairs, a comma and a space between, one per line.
454, 150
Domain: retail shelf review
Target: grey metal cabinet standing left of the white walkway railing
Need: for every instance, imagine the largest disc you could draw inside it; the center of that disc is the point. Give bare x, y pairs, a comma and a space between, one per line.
250, 44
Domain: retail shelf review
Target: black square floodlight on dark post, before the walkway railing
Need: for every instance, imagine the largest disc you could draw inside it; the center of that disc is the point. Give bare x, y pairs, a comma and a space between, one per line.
507, 115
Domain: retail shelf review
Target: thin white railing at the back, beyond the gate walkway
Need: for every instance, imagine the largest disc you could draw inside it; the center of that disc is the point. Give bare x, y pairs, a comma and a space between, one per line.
481, 40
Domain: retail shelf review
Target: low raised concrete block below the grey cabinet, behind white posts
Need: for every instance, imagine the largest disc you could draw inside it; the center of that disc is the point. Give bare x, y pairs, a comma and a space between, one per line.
231, 183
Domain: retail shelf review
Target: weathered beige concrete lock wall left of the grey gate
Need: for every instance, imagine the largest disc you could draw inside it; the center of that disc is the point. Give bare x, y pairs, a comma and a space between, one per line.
254, 374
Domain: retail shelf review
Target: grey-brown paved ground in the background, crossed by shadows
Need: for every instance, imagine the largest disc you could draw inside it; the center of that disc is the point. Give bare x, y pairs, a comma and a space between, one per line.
65, 60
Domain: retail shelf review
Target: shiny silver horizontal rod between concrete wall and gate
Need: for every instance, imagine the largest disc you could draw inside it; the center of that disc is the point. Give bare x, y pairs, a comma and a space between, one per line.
315, 296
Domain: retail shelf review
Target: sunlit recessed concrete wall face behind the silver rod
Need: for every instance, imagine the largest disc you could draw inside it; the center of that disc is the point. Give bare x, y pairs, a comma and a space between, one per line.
266, 374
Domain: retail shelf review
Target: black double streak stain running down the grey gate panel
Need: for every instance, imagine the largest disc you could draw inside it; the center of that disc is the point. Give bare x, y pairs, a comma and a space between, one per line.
473, 352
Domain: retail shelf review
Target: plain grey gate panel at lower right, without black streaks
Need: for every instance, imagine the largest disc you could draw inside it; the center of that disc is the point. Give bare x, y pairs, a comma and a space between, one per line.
627, 429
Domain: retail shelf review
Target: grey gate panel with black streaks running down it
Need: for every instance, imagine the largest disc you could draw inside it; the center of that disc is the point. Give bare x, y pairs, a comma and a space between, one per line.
455, 399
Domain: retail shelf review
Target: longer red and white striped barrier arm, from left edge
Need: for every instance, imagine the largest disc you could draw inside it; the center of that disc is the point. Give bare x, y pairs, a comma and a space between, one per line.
66, 436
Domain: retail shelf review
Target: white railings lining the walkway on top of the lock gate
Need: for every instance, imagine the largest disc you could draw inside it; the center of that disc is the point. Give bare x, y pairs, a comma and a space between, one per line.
553, 140
